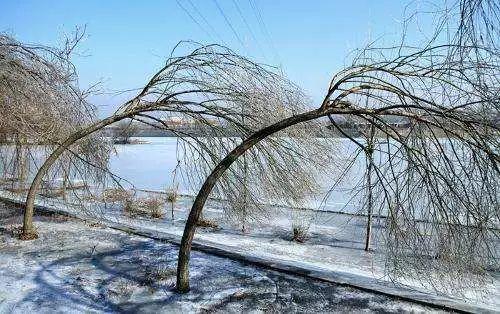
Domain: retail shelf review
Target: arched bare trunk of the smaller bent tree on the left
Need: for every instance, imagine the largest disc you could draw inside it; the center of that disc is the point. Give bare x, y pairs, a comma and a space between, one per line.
29, 232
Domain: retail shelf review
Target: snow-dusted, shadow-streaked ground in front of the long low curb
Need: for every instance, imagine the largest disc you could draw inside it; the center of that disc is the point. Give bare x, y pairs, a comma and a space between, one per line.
76, 267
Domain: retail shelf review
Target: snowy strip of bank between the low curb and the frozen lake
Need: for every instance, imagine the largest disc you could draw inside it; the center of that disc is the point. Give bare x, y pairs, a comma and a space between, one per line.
334, 246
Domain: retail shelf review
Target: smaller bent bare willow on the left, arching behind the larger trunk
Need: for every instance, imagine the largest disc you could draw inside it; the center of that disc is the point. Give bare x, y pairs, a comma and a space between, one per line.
226, 97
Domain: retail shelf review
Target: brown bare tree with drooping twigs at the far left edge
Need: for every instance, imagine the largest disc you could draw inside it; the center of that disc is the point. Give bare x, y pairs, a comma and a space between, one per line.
41, 103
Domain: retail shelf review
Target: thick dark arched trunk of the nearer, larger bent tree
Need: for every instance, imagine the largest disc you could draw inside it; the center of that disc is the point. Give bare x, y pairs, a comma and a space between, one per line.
211, 180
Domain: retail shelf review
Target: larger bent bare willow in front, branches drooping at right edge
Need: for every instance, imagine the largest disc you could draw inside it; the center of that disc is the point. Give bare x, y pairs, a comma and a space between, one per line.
436, 178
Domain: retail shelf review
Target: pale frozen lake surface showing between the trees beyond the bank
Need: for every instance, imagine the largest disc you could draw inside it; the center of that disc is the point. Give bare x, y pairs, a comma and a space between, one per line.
150, 166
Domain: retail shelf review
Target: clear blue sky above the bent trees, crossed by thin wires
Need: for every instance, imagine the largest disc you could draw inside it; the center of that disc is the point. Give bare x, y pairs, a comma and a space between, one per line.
128, 40
